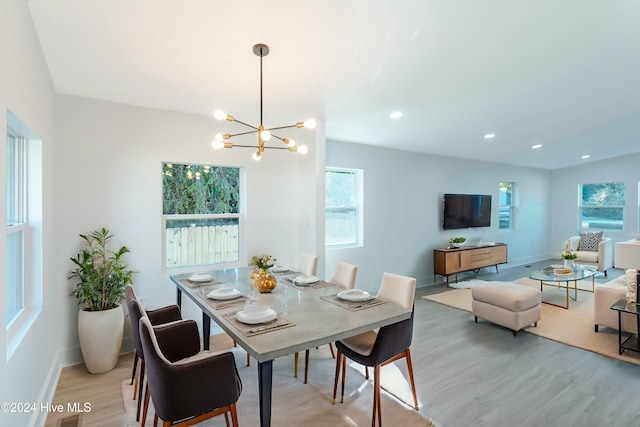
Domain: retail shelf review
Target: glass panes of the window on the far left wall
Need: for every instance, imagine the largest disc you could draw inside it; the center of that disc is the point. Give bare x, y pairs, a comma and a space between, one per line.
16, 225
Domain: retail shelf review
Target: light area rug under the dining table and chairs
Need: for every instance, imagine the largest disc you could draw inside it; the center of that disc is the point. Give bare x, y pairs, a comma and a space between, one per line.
299, 404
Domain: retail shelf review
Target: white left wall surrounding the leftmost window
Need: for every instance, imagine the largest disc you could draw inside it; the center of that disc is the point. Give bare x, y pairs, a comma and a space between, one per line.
26, 90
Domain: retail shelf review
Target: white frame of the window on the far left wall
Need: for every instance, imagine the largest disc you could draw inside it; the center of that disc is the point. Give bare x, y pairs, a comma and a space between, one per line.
30, 226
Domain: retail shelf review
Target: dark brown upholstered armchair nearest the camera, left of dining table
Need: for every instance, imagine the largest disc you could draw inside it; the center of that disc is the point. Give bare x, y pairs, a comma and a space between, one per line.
187, 386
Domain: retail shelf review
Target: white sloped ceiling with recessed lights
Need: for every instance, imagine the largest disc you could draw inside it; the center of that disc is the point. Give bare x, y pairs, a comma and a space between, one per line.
563, 74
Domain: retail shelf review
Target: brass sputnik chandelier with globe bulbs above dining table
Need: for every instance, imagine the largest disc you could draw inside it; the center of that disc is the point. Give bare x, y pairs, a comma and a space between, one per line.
264, 134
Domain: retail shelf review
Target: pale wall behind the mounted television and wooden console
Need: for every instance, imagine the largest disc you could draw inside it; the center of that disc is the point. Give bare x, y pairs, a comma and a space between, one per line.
403, 210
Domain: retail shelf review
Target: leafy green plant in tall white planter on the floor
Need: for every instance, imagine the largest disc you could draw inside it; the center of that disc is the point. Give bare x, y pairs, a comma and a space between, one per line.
101, 276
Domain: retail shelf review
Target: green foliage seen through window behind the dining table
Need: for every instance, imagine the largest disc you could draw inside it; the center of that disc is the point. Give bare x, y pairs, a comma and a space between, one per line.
200, 189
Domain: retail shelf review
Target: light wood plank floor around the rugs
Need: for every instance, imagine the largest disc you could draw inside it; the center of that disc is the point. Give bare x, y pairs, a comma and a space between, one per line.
466, 374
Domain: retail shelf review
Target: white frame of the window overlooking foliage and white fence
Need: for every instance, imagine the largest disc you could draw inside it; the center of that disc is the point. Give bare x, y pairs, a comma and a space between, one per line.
240, 216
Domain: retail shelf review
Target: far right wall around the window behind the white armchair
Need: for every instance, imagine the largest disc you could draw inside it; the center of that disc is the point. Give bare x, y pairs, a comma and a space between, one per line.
566, 193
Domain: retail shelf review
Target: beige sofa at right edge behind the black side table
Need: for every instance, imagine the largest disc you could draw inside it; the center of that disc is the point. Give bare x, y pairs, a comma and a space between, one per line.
606, 294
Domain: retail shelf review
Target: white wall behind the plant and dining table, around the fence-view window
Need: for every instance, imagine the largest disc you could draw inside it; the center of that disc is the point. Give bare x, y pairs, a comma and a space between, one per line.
108, 173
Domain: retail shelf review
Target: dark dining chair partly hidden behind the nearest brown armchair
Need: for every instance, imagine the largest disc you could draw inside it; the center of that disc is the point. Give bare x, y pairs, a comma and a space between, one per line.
159, 316
